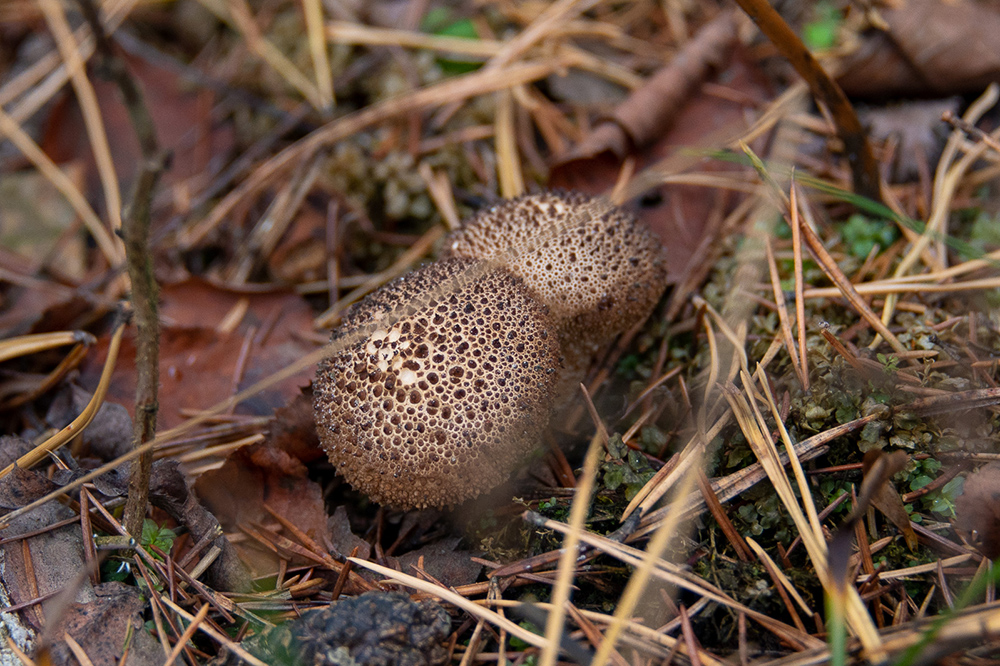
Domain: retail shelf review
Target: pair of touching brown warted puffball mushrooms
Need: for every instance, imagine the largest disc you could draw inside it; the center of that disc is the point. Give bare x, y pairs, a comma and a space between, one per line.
447, 376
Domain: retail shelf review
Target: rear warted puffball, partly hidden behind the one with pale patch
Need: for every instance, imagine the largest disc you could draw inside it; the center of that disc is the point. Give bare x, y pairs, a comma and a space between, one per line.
599, 270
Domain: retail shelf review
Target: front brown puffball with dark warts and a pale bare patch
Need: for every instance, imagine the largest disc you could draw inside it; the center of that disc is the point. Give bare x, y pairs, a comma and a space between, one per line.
444, 385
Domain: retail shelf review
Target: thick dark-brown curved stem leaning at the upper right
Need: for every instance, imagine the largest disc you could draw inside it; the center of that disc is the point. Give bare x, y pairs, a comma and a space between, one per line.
864, 168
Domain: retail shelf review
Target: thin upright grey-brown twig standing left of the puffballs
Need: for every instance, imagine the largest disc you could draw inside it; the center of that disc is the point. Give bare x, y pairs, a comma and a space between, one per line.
139, 263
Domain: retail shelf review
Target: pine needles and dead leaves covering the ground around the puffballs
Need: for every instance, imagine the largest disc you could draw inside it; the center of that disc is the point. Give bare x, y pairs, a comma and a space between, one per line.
290, 207
